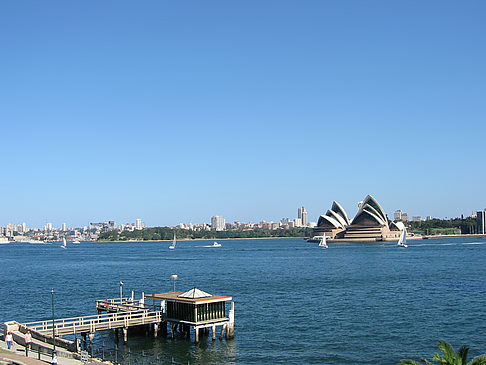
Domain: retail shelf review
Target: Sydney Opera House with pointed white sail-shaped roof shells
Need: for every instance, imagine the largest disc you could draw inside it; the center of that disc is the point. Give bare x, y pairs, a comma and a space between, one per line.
369, 224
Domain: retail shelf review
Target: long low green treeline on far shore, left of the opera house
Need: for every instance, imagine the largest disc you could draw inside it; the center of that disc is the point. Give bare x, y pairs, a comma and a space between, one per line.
166, 233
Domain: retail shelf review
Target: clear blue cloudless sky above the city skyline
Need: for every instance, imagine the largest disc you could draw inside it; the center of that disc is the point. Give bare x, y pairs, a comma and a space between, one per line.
174, 111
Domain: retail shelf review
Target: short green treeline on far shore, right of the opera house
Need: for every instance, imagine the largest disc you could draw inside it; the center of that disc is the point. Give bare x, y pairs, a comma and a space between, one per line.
444, 226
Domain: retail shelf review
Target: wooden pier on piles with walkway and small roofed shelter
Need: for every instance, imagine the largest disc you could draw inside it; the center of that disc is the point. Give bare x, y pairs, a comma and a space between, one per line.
180, 311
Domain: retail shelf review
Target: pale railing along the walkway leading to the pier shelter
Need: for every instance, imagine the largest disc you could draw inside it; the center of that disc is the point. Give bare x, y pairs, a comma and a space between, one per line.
91, 324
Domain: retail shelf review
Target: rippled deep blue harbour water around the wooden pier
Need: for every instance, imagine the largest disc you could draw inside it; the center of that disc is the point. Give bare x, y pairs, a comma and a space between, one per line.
353, 303
